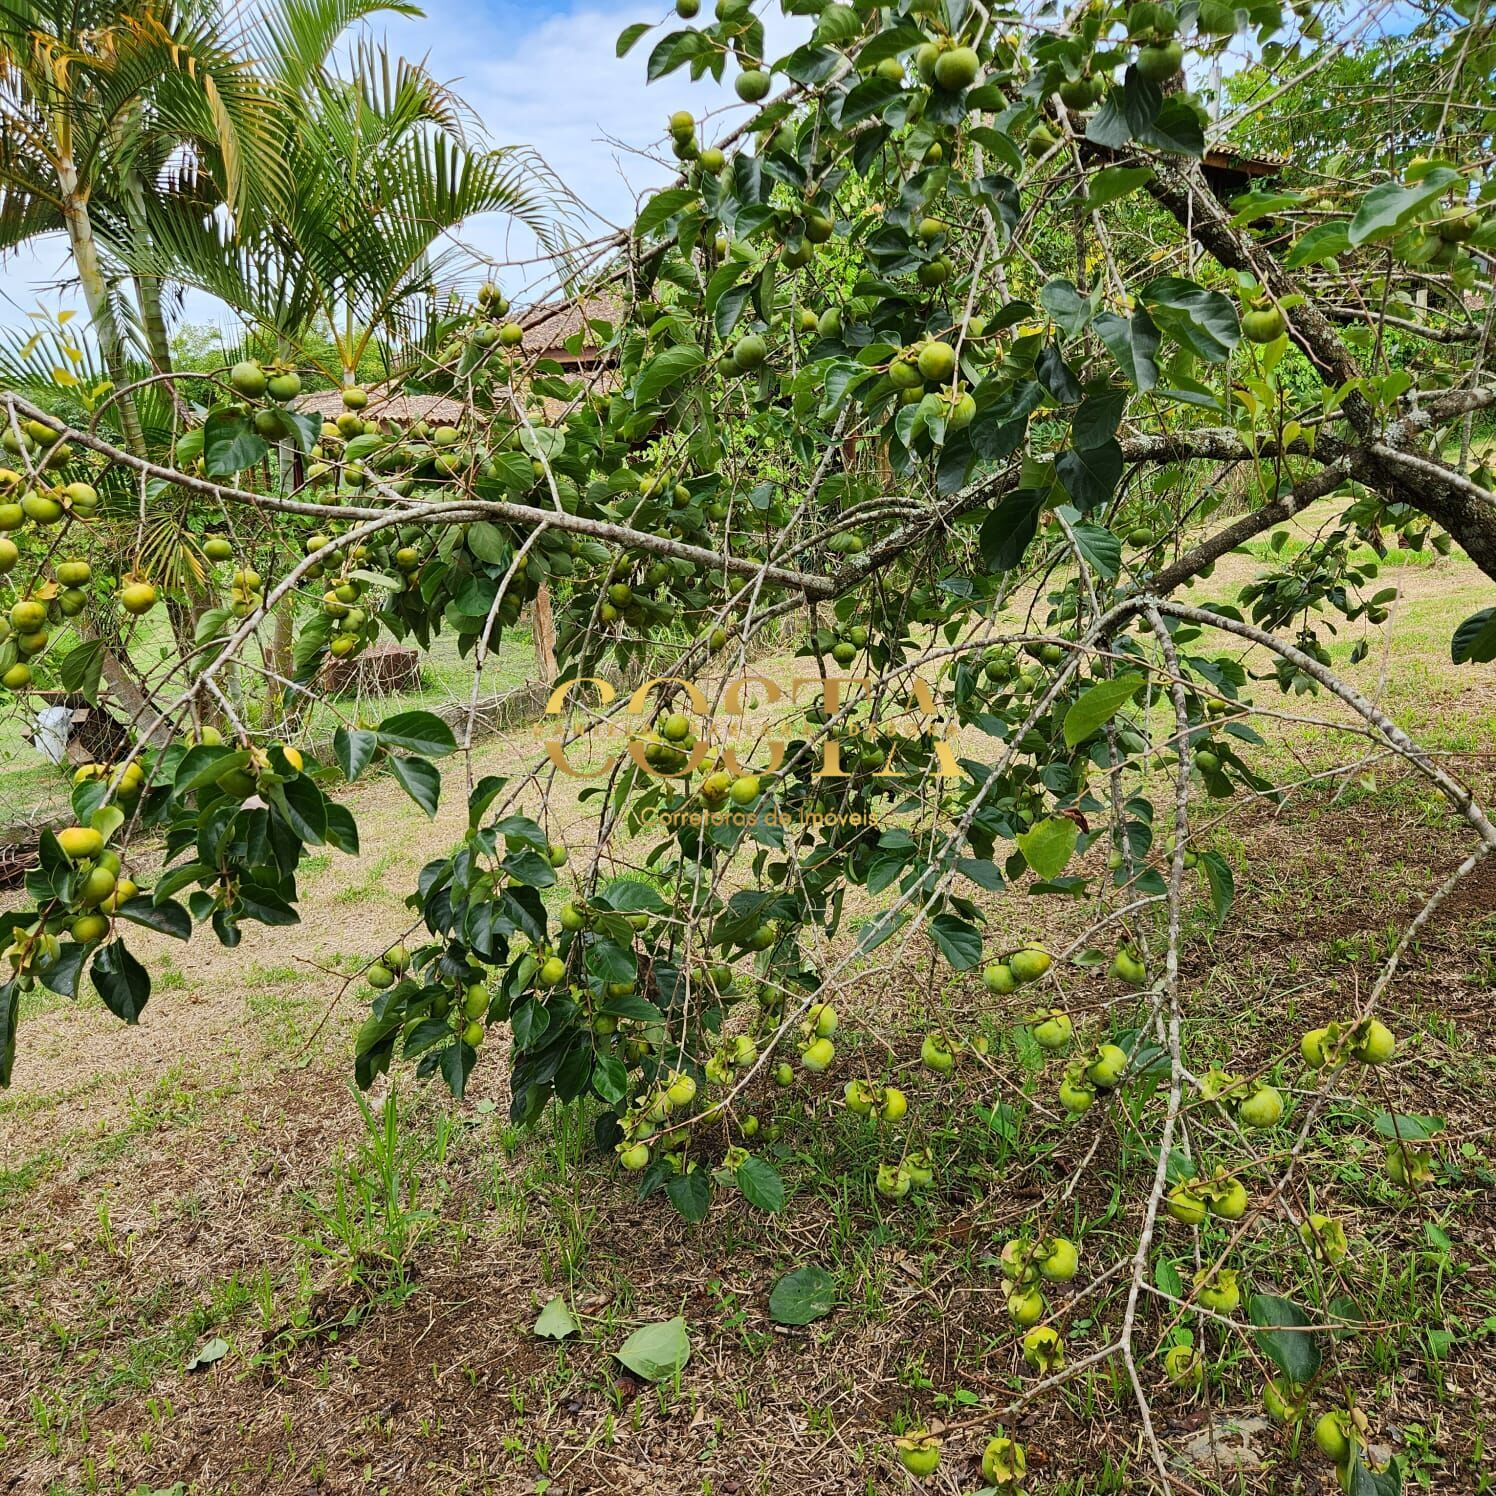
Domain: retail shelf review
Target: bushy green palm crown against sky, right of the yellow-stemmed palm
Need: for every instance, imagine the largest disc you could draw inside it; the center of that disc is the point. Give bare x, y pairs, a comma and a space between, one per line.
384, 165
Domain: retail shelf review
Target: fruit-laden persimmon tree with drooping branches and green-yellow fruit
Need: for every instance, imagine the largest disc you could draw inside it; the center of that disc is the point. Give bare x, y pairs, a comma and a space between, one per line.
955, 318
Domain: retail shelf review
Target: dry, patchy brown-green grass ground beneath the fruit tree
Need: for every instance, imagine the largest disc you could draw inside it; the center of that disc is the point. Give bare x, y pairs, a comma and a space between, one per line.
165, 1186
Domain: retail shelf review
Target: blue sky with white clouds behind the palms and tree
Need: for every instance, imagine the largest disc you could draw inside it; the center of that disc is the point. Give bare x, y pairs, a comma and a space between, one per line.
542, 74
